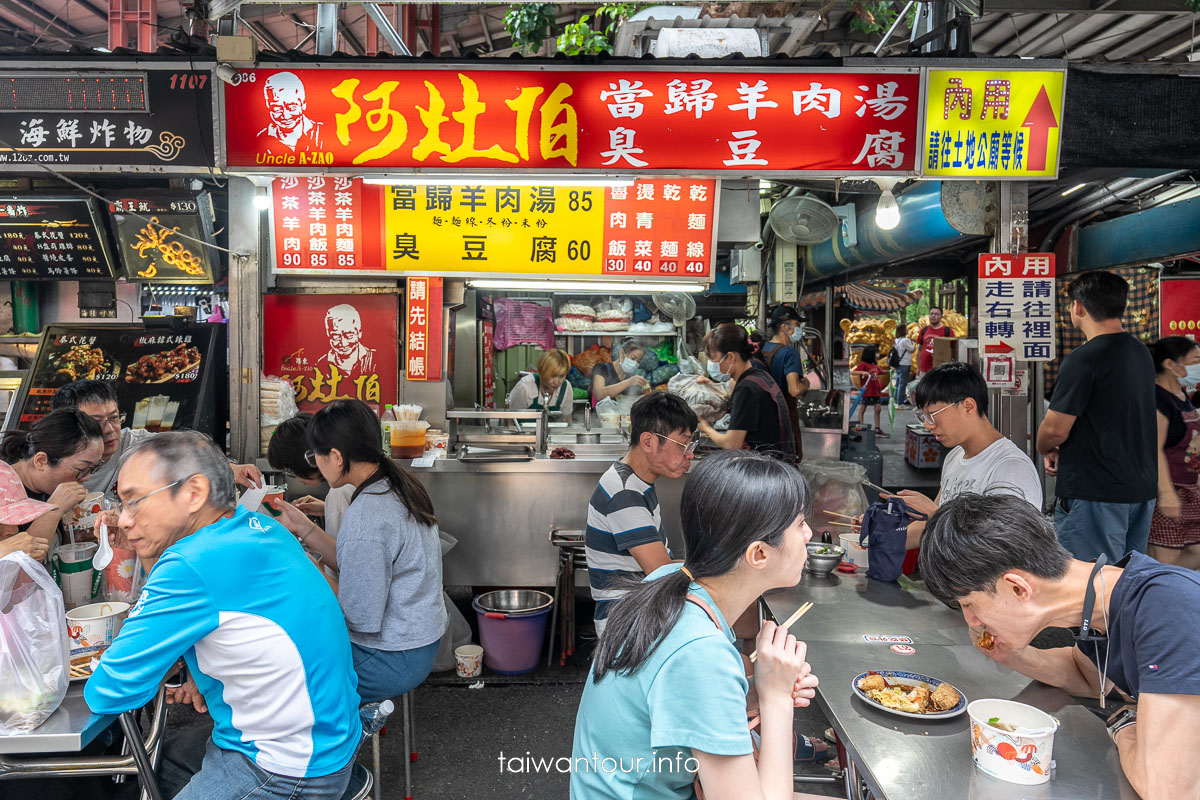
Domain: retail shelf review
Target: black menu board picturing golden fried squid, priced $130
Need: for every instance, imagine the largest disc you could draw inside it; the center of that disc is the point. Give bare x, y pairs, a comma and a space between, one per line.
157, 237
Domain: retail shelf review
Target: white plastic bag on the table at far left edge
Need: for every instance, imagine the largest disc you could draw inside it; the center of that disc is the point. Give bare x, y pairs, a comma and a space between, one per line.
35, 651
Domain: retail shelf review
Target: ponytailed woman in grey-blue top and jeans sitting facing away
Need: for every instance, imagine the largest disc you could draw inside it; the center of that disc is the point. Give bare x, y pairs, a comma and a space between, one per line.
387, 552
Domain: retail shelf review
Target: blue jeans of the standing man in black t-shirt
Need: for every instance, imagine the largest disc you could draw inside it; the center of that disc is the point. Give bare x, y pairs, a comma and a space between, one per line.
1088, 528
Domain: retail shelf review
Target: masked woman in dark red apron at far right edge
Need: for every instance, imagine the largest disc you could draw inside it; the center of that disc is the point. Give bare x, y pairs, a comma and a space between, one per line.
1175, 527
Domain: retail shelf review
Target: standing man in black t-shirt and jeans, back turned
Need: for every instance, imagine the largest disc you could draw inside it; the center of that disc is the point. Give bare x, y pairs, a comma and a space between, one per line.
1101, 434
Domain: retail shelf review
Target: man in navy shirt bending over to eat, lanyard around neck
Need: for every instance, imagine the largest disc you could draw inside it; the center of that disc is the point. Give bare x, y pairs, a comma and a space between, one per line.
999, 560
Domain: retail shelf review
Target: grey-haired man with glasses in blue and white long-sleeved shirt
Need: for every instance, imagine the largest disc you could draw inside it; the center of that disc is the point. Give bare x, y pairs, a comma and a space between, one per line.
236, 597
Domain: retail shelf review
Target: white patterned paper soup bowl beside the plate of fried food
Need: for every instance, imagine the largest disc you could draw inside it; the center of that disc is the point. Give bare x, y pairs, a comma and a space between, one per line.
1019, 757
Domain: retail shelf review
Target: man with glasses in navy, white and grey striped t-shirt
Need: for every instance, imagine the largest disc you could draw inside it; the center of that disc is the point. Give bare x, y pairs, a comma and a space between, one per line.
625, 533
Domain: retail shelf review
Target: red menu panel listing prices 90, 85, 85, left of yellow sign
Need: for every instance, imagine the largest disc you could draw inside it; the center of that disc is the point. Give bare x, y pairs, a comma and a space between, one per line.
326, 224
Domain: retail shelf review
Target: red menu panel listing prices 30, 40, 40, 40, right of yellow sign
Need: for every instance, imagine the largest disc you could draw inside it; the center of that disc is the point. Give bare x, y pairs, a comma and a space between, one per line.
661, 228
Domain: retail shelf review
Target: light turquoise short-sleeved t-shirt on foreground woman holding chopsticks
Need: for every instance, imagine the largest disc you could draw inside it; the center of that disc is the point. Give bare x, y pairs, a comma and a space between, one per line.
634, 735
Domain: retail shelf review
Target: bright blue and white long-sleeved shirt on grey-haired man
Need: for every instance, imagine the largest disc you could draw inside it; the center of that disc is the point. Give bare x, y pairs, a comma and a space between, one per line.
263, 639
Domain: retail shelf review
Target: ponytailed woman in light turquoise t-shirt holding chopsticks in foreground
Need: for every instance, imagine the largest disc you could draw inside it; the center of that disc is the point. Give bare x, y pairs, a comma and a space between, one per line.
667, 701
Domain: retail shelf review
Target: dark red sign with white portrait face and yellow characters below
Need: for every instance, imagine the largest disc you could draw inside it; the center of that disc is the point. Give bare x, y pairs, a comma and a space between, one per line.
333, 347
